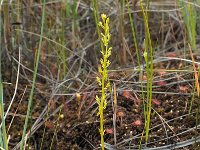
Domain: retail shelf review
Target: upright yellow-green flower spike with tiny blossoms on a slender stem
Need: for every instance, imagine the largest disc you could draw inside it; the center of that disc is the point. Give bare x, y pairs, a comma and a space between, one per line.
103, 71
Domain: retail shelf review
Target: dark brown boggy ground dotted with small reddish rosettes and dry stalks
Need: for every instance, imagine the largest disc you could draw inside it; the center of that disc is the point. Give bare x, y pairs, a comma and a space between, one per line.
75, 125
